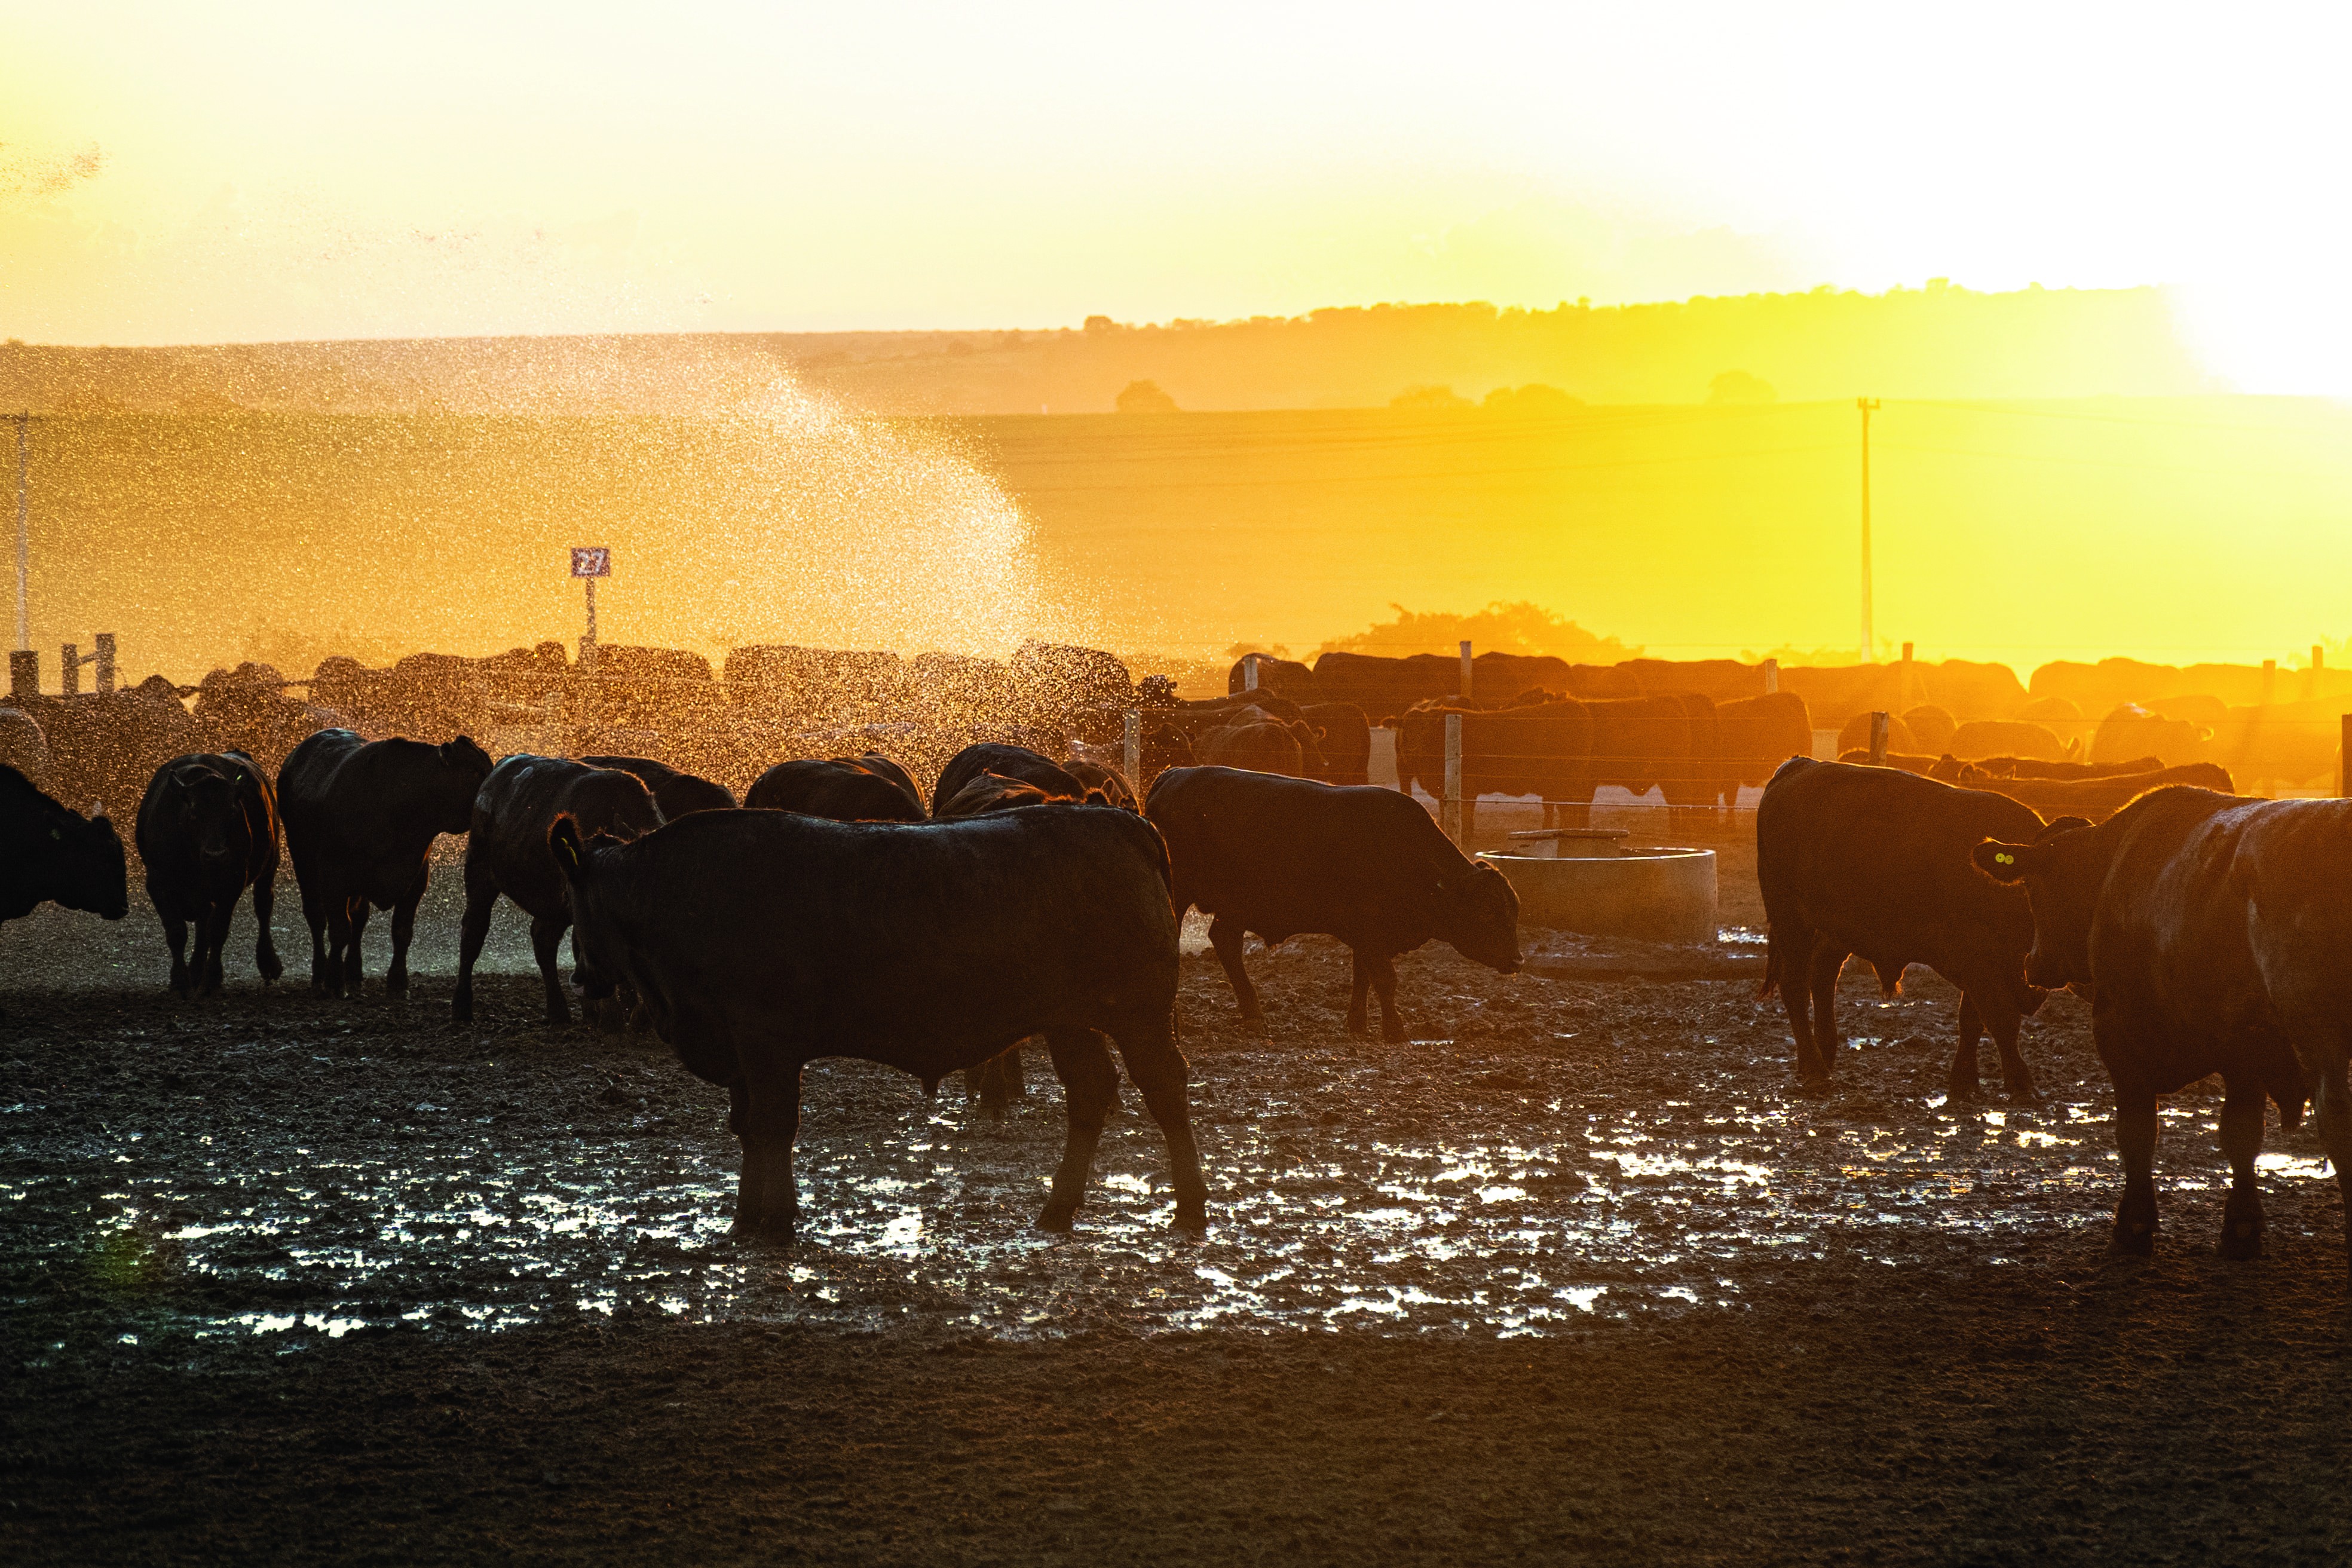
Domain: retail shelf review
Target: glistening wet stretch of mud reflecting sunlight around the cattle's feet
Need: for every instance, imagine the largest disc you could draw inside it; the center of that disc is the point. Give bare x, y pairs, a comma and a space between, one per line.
1539, 1158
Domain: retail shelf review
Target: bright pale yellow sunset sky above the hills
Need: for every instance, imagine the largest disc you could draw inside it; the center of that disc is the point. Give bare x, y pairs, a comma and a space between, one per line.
248, 170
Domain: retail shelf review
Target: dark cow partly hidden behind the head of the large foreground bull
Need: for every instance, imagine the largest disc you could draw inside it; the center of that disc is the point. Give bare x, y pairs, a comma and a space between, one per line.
507, 852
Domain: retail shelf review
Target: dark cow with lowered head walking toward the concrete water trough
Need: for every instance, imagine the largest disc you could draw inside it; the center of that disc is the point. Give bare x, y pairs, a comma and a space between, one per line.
1281, 857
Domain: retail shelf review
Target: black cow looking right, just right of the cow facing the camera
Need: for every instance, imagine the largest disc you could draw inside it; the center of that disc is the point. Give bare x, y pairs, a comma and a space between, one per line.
361, 819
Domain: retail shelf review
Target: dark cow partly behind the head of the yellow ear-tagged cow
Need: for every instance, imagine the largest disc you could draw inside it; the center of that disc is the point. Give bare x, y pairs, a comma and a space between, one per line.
1873, 864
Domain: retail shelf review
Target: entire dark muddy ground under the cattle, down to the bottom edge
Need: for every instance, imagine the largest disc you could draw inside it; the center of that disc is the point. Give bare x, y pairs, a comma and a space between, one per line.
1577, 1275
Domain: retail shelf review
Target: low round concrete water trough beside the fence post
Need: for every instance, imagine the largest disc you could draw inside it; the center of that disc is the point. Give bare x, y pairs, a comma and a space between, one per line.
1589, 880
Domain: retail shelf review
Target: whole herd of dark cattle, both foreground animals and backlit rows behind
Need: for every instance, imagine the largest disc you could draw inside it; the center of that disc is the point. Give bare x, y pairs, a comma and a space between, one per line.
1036, 890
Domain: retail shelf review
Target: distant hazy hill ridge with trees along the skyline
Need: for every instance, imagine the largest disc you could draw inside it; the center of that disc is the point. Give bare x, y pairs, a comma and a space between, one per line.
1935, 342
